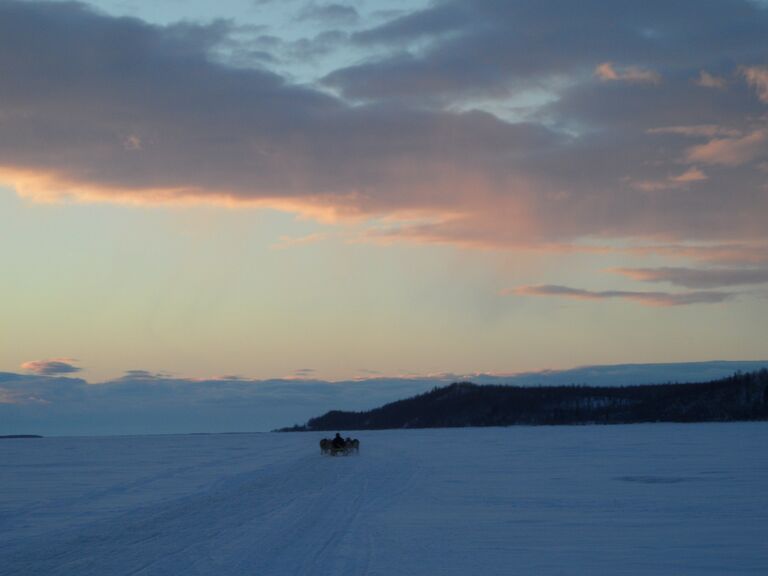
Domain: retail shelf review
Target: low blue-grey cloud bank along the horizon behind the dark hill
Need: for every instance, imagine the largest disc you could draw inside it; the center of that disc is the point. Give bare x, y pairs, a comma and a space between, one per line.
143, 403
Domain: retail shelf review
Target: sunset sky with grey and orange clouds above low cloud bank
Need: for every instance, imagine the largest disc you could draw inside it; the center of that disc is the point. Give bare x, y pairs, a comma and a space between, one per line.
340, 191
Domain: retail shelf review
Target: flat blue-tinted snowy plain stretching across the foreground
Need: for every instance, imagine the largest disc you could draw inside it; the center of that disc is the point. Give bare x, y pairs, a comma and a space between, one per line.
660, 499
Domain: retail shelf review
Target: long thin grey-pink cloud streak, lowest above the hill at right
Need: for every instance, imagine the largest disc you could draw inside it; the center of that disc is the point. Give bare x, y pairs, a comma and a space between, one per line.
646, 298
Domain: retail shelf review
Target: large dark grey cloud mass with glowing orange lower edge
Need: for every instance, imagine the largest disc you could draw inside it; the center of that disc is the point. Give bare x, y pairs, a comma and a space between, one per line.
102, 108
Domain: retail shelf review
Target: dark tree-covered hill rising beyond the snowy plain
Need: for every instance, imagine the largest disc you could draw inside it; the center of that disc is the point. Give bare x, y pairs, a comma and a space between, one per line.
739, 397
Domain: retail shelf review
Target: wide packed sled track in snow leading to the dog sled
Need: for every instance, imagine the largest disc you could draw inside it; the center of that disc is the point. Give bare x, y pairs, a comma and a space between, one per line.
304, 515
